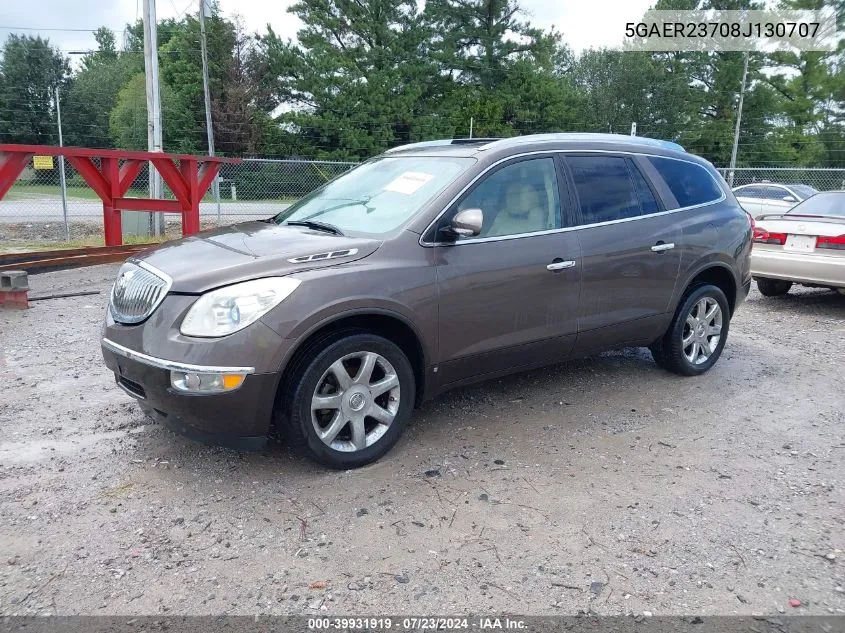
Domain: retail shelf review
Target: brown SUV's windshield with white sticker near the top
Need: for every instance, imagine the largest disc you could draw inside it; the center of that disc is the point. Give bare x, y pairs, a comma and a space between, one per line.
379, 196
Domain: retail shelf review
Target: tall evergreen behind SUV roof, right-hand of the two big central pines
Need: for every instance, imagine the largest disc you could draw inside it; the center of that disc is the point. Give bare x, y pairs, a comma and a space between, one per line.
507, 75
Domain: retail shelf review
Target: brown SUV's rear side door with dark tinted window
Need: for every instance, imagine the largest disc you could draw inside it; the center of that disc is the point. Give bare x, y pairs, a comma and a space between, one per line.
628, 255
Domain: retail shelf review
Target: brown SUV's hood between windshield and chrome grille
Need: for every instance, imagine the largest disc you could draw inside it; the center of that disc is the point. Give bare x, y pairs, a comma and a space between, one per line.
246, 251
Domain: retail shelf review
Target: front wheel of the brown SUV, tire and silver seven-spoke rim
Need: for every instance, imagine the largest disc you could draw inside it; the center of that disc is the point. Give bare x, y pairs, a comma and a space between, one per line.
321, 368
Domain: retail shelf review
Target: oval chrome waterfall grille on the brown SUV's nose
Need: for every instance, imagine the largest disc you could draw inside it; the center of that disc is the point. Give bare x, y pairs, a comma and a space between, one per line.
137, 292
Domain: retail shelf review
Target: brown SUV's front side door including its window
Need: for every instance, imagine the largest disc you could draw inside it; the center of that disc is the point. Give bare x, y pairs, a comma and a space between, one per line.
508, 297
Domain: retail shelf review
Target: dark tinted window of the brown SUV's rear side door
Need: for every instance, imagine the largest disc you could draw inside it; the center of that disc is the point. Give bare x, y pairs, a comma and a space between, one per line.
606, 189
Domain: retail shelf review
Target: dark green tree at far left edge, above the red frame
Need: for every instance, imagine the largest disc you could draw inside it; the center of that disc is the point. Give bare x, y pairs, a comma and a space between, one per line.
30, 72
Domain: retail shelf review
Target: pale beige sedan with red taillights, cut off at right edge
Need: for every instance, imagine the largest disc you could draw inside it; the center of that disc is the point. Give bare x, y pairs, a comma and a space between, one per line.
805, 245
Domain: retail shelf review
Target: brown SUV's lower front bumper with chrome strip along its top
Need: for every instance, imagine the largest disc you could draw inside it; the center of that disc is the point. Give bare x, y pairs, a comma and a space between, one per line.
239, 419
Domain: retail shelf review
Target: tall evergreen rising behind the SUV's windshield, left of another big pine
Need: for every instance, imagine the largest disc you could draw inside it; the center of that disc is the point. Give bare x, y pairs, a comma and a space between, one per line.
357, 81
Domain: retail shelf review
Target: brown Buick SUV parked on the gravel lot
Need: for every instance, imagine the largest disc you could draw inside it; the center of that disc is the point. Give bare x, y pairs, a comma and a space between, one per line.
431, 266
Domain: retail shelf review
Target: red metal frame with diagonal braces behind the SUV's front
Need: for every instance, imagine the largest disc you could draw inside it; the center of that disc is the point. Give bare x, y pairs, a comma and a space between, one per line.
188, 177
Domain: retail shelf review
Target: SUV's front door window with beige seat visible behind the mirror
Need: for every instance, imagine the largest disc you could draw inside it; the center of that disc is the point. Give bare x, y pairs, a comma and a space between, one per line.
519, 198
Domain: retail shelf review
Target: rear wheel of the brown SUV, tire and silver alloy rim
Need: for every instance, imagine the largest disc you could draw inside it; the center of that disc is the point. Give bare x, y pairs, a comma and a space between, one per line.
674, 353
